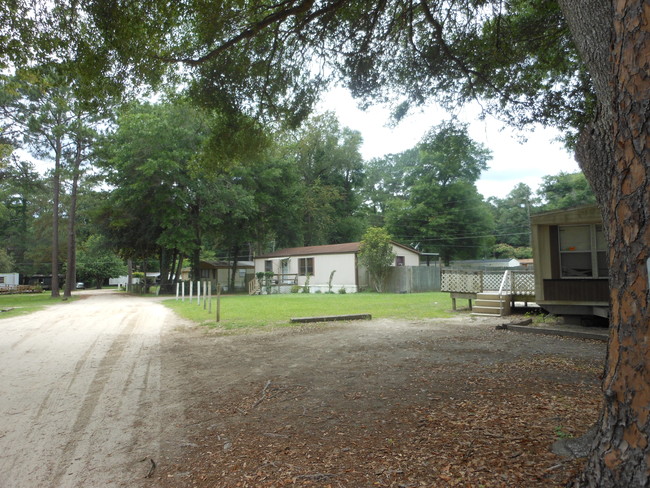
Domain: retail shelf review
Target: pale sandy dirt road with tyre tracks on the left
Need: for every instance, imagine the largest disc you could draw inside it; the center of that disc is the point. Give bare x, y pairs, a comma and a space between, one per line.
80, 401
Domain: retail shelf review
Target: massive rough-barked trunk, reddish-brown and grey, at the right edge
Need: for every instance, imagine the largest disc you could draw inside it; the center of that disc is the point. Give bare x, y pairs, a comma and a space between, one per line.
614, 153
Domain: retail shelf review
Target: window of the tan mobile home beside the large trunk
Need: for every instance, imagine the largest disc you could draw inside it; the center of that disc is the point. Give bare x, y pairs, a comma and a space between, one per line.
583, 251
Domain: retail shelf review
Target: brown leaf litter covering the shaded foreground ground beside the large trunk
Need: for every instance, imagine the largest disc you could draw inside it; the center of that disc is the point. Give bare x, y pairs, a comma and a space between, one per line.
487, 426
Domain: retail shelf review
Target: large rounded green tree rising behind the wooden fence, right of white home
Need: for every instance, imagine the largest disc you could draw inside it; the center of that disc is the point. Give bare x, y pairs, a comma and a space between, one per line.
441, 210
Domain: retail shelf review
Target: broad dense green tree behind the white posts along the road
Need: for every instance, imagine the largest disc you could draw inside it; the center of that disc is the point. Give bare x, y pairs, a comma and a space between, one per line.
154, 206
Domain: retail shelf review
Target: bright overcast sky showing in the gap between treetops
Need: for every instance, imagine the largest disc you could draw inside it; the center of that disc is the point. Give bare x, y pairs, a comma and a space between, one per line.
513, 162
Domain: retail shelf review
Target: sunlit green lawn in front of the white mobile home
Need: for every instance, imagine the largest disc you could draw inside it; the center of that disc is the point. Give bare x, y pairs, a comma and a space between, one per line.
240, 311
